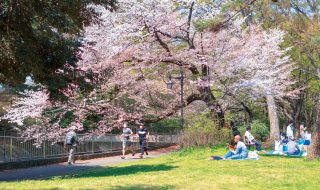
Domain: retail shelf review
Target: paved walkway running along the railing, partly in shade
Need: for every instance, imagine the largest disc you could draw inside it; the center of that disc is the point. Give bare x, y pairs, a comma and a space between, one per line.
44, 172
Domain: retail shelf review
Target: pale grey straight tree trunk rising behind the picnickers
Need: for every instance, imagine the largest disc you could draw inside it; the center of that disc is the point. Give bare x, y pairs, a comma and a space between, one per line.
273, 118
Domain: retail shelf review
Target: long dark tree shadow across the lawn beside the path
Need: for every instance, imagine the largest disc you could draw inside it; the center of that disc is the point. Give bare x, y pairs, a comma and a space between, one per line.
122, 170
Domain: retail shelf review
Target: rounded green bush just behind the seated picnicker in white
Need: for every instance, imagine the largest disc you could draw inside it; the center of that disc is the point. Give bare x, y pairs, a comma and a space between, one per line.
259, 130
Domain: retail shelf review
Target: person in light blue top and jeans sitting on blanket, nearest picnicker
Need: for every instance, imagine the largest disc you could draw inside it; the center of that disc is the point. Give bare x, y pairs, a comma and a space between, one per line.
241, 151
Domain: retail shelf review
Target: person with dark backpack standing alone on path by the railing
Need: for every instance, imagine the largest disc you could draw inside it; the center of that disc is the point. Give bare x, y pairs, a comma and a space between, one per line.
71, 143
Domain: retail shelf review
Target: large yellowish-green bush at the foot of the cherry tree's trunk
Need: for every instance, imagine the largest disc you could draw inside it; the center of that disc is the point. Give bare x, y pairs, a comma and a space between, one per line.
202, 130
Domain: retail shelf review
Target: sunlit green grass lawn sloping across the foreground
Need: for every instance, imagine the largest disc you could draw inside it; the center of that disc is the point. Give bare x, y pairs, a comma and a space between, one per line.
190, 169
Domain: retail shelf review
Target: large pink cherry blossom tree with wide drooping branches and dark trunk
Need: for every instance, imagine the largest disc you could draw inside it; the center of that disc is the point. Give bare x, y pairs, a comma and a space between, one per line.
132, 52
